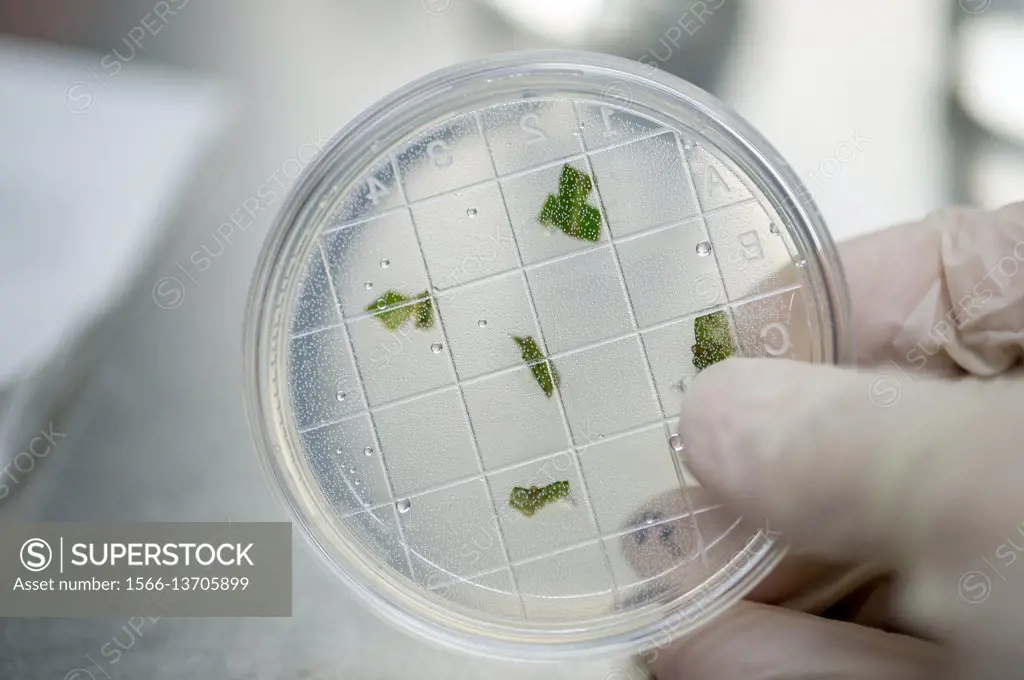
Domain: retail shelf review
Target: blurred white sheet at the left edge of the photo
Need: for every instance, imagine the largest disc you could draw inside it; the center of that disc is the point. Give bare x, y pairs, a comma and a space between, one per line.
92, 164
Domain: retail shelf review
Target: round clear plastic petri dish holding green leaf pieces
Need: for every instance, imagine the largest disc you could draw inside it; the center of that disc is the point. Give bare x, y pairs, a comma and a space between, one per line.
502, 277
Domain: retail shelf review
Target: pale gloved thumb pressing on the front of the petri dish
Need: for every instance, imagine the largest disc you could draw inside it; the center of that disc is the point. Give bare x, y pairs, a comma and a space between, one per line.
861, 465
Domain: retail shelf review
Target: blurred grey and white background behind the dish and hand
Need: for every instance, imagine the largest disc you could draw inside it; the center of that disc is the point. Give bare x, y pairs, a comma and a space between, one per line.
134, 133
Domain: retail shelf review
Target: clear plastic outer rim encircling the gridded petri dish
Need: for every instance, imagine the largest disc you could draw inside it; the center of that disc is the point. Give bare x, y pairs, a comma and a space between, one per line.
344, 162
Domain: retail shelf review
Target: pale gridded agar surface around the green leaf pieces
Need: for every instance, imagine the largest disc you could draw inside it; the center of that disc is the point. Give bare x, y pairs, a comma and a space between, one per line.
437, 427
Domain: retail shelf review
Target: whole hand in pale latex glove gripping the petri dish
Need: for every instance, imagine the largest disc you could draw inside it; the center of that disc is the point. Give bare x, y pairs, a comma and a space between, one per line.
914, 461
